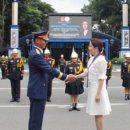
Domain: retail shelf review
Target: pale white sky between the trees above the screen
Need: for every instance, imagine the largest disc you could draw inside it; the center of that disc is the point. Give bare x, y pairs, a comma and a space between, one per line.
67, 6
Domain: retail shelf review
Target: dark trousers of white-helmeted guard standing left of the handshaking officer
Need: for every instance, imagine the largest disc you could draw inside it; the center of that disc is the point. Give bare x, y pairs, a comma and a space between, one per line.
15, 88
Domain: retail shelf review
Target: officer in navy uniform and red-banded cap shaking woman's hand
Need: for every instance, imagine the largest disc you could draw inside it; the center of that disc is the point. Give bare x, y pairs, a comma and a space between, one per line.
37, 85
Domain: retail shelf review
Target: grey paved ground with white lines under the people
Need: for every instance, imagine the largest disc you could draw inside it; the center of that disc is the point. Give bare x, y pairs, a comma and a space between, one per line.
14, 116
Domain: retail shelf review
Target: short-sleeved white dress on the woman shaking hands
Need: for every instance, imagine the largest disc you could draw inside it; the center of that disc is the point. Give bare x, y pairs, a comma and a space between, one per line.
97, 71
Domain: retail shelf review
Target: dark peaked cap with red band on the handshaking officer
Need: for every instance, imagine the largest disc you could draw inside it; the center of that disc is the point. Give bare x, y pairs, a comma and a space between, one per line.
42, 35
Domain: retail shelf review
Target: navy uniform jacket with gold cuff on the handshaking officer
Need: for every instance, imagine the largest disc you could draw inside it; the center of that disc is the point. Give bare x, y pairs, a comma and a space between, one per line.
38, 73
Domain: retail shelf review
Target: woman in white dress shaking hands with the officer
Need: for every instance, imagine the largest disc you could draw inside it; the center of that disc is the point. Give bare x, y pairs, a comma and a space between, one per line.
98, 101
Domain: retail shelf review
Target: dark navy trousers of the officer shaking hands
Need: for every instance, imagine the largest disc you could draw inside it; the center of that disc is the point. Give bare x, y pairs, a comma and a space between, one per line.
37, 107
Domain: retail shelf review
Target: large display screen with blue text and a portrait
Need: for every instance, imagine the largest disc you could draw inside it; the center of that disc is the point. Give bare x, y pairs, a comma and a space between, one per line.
70, 26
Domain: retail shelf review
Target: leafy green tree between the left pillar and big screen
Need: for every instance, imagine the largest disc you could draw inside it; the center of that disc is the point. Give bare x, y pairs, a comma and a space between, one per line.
36, 16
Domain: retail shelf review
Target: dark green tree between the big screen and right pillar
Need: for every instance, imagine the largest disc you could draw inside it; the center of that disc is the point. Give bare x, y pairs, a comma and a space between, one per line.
109, 11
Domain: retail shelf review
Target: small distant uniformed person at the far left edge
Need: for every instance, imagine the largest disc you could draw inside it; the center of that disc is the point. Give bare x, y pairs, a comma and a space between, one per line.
3, 67
